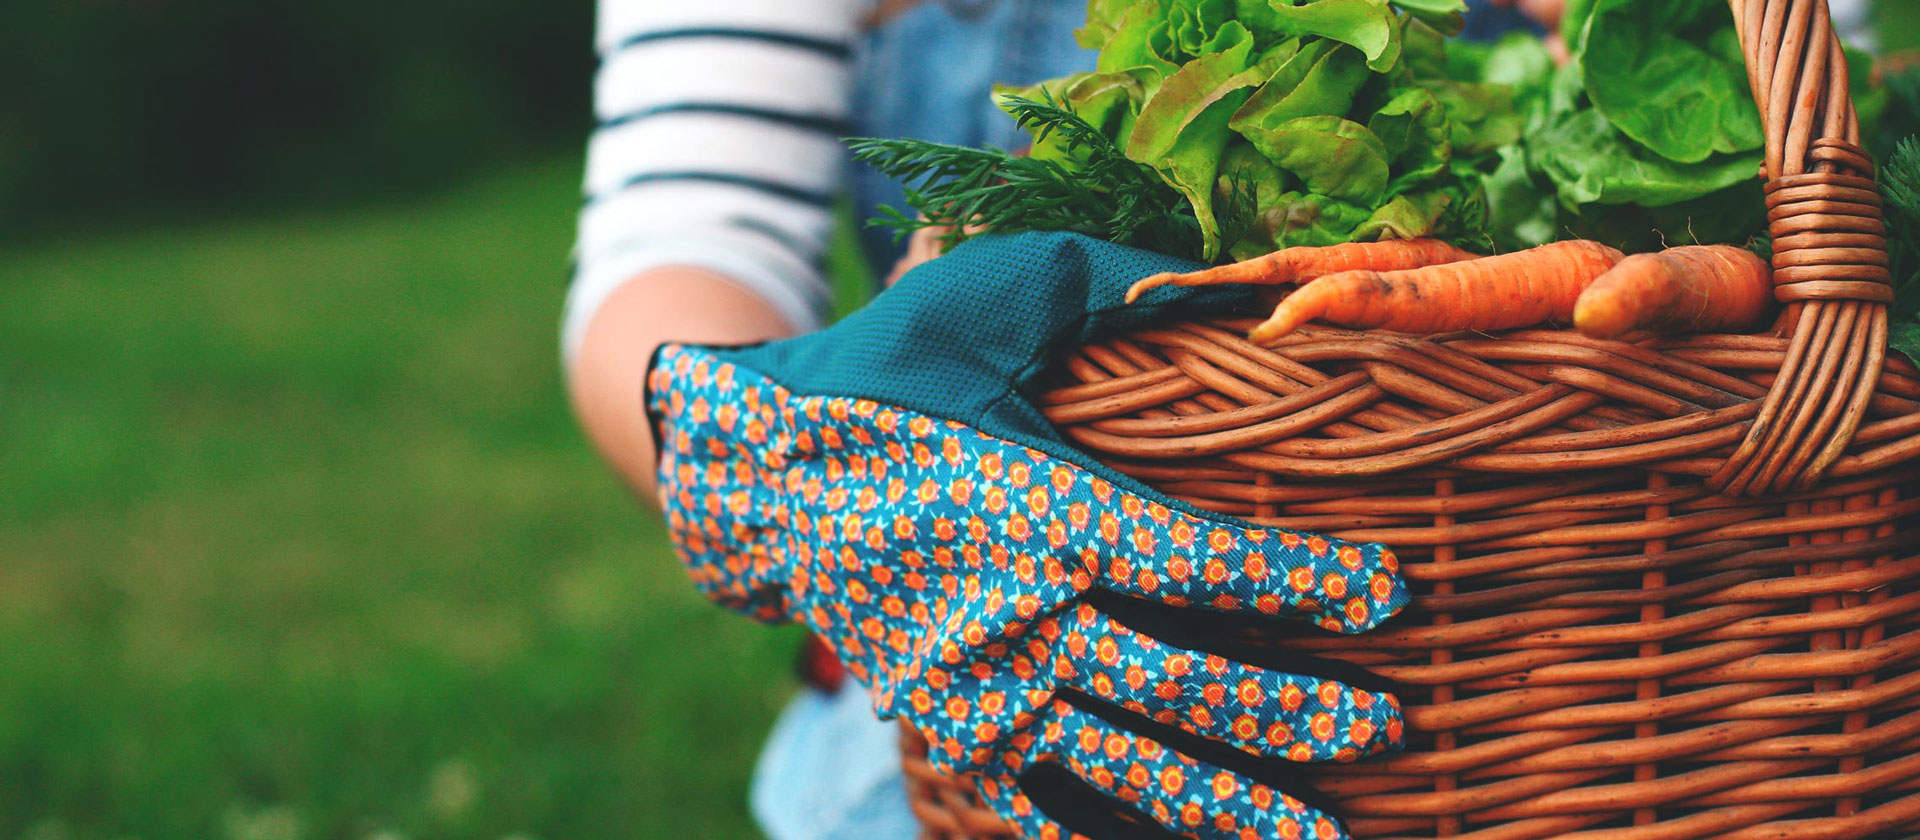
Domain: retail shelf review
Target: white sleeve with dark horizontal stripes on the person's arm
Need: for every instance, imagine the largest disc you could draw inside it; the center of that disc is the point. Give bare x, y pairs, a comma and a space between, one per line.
717, 149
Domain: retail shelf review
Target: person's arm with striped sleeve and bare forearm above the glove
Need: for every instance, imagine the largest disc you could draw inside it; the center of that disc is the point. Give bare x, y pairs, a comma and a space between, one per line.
709, 189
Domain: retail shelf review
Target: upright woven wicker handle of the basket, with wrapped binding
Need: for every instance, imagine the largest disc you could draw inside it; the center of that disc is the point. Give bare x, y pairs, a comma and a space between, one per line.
1831, 250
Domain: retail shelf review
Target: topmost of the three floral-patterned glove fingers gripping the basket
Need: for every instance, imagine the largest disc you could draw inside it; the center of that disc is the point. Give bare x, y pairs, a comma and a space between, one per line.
1186, 561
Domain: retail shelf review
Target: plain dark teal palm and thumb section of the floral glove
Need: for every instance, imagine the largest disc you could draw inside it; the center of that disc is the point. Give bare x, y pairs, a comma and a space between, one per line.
965, 337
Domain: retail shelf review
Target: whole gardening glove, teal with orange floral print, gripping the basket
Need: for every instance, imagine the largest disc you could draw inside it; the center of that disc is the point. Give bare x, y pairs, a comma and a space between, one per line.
1038, 617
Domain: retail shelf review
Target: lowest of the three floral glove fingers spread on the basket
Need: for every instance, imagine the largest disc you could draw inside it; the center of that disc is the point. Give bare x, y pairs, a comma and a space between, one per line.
1186, 795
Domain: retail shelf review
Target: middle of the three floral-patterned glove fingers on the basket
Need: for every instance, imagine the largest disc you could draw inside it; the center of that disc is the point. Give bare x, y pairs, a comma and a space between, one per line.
1253, 709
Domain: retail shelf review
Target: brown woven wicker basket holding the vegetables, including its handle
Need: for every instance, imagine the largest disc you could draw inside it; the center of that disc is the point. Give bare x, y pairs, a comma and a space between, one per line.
1666, 590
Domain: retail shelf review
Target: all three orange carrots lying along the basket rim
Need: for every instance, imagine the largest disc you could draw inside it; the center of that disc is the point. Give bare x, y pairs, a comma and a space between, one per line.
1431, 287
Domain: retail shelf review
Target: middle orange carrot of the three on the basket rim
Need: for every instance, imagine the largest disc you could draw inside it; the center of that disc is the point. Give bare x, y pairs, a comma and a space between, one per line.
1502, 292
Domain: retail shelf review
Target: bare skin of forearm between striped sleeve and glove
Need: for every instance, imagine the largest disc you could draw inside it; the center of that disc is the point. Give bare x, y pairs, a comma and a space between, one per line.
608, 375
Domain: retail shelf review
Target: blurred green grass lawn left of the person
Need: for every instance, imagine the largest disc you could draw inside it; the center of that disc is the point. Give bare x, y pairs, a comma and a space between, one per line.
299, 542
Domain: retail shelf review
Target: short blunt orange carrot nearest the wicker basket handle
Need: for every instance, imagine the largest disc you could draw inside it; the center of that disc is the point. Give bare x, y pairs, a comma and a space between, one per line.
1689, 289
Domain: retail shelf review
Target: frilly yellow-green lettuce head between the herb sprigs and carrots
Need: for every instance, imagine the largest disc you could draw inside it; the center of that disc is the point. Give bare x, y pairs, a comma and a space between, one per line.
1293, 124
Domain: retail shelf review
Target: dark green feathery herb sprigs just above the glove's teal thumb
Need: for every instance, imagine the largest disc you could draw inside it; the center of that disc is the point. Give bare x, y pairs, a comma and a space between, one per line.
1111, 197
